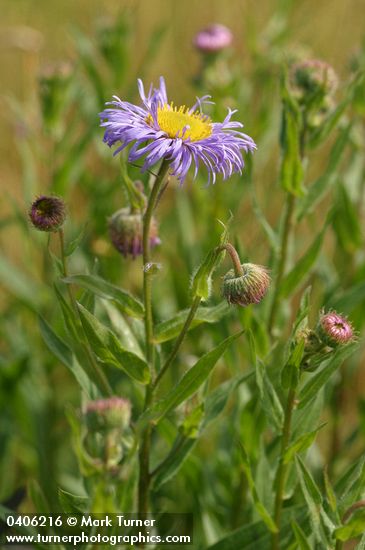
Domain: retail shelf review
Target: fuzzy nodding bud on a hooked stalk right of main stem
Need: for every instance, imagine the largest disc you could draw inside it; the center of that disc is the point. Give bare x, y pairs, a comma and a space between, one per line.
248, 288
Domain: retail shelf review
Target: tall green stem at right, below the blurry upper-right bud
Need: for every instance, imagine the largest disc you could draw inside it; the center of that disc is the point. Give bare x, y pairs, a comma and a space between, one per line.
285, 237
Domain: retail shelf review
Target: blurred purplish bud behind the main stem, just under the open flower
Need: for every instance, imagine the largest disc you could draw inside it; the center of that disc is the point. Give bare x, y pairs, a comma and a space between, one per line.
126, 232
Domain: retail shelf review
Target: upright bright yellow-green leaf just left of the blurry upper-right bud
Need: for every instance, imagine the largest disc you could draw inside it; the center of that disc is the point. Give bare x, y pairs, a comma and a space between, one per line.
291, 169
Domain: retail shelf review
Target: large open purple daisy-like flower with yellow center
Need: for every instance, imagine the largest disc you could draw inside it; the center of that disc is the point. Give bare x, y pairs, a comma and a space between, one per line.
159, 130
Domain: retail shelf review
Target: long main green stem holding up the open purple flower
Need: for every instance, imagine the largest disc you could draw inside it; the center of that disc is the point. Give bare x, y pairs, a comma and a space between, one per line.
144, 451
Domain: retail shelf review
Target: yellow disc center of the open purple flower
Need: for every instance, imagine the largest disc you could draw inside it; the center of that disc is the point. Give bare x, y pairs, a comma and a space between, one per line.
178, 122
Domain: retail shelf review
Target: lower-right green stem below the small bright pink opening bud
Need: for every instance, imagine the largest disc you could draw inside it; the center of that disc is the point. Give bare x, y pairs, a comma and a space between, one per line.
282, 469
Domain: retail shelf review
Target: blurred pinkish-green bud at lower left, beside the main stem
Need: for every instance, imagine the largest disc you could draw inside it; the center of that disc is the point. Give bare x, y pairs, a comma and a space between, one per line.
106, 415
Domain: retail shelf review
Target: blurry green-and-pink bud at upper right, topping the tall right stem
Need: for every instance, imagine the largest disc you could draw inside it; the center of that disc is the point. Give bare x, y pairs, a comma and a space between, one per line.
313, 77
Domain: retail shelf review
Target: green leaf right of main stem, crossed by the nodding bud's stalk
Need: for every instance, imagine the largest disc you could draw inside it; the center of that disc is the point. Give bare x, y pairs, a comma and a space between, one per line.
169, 329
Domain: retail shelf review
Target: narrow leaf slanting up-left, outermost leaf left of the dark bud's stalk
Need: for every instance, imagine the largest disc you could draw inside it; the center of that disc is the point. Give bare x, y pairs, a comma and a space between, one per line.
63, 353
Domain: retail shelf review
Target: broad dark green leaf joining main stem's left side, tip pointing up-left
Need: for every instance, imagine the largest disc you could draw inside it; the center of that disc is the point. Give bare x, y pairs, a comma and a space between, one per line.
107, 348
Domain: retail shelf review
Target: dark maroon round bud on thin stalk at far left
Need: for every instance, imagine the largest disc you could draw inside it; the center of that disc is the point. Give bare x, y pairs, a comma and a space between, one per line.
47, 213
